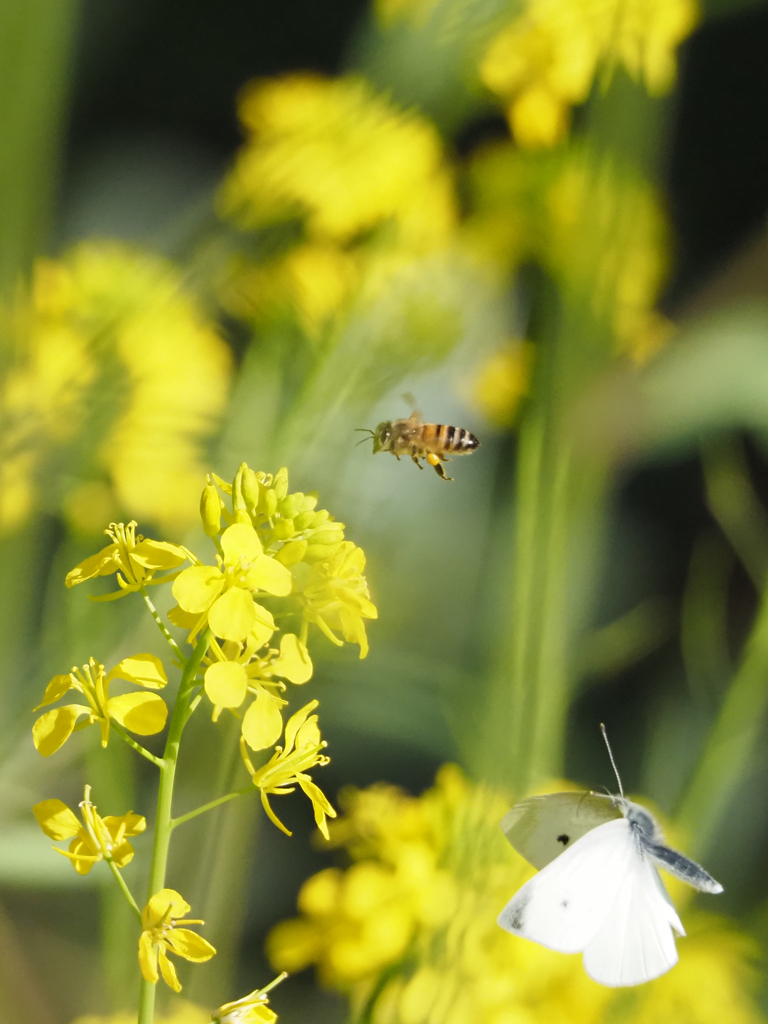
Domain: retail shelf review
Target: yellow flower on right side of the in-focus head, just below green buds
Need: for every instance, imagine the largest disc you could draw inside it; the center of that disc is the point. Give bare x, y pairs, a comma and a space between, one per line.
335, 595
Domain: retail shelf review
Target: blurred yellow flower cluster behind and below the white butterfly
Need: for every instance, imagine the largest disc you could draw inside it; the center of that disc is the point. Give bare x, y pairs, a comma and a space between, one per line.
409, 931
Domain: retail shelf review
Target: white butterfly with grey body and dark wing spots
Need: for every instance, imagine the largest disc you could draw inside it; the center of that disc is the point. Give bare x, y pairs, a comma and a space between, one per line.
599, 891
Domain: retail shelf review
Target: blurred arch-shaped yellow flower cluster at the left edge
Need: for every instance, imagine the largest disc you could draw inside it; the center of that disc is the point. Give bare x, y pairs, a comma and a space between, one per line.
118, 372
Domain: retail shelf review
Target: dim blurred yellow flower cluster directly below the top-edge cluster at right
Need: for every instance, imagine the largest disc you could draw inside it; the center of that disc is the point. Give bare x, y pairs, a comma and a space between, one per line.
593, 225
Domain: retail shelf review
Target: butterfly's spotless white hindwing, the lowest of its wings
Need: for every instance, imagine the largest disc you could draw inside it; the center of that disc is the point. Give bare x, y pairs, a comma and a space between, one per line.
635, 943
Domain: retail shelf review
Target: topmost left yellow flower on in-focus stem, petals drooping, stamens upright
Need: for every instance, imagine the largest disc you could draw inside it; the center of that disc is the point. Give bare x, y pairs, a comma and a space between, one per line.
135, 560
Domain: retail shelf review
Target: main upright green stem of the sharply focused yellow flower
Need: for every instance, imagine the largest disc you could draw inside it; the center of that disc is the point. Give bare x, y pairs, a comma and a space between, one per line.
163, 827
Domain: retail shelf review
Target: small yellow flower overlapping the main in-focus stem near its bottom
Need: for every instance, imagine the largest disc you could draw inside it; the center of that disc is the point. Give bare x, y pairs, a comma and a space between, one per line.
161, 920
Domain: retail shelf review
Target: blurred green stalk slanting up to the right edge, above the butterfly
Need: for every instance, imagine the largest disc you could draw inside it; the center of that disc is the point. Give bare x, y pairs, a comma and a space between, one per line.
731, 744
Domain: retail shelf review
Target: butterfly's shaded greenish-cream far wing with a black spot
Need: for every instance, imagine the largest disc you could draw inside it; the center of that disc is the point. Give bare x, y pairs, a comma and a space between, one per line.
542, 828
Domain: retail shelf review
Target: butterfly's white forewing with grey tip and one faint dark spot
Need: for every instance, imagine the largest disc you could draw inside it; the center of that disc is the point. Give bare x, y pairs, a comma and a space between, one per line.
567, 904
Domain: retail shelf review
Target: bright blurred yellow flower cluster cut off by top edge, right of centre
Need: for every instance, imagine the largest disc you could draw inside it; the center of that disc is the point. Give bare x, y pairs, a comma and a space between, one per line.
546, 60
